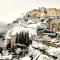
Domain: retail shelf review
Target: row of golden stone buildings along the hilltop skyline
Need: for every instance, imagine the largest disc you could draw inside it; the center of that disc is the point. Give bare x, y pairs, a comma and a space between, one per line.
40, 12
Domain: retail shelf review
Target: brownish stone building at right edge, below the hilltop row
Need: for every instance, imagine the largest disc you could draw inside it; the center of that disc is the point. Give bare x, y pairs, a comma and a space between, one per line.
54, 25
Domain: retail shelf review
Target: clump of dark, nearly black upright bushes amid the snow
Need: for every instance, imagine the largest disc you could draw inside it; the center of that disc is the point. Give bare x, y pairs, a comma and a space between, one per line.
23, 38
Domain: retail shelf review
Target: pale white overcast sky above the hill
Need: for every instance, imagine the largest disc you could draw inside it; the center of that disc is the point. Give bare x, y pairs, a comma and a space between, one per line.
12, 9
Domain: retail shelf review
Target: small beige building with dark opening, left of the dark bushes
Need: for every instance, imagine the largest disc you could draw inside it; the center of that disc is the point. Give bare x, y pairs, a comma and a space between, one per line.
10, 41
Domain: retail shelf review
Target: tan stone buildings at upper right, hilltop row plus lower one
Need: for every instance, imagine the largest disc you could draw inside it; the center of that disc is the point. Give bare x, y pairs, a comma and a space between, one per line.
52, 14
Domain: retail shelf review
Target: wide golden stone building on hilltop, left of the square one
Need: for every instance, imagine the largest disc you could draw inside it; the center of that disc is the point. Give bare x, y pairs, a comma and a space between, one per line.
35, 13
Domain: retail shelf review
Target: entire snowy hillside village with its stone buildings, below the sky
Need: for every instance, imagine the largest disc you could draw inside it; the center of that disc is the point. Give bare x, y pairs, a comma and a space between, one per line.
35, 36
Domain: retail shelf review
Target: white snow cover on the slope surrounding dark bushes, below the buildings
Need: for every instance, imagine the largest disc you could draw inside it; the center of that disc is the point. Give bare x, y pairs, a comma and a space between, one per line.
44, 48
